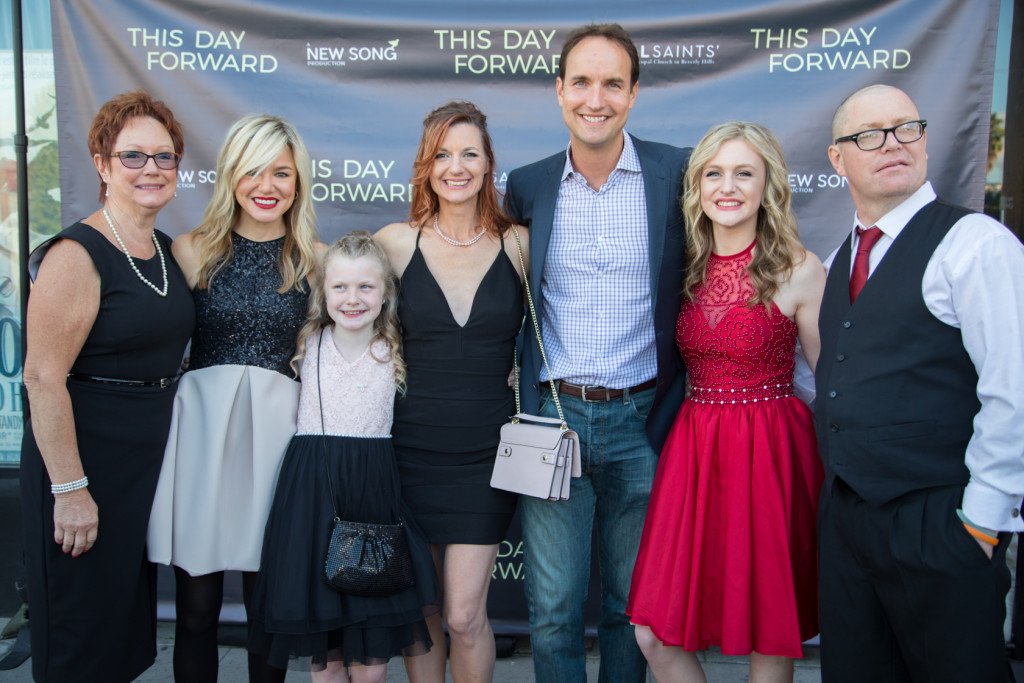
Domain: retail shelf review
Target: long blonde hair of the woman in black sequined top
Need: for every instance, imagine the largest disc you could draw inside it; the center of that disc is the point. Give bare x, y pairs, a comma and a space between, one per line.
252, 145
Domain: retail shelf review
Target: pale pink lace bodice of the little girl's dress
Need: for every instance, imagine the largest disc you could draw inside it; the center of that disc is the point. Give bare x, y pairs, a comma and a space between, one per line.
359, 396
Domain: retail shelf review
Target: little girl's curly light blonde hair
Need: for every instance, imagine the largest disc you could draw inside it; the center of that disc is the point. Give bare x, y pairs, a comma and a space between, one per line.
357, 245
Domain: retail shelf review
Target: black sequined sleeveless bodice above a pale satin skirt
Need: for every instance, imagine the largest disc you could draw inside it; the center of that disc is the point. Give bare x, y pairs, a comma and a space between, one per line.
241, 320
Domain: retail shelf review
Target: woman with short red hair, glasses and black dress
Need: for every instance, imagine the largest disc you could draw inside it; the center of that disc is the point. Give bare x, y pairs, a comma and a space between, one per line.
109, 319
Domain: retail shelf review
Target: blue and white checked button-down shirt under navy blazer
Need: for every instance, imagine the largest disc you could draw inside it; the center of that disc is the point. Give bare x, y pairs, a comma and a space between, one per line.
598, 323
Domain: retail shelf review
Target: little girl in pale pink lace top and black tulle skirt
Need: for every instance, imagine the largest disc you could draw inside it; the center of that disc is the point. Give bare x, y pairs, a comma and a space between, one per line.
342, 459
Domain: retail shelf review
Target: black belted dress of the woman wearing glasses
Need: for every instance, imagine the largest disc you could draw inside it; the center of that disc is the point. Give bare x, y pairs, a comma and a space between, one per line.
94, 618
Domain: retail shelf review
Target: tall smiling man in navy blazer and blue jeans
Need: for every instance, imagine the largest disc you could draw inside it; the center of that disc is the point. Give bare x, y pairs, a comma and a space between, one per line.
608, 249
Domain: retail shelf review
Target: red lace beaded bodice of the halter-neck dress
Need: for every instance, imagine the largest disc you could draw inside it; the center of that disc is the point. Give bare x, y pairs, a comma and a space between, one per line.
735, 353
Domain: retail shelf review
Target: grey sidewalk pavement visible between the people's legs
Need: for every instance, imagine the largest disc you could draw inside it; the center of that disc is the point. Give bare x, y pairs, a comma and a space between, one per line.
517, 669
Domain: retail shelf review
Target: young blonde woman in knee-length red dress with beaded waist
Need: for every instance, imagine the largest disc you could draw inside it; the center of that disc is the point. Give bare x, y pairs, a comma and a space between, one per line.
729, 554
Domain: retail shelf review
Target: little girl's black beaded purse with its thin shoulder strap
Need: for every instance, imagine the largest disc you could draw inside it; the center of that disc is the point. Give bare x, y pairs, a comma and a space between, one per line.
366, 560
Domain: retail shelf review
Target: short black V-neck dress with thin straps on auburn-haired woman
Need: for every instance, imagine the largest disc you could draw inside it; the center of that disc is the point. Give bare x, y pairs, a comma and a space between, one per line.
447, 426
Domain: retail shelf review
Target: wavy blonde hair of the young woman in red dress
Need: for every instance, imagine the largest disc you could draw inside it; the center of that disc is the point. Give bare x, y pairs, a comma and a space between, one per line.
778, 241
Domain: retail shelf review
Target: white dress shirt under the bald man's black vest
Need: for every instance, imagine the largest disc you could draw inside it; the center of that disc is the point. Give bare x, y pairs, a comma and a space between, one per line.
975, 282
